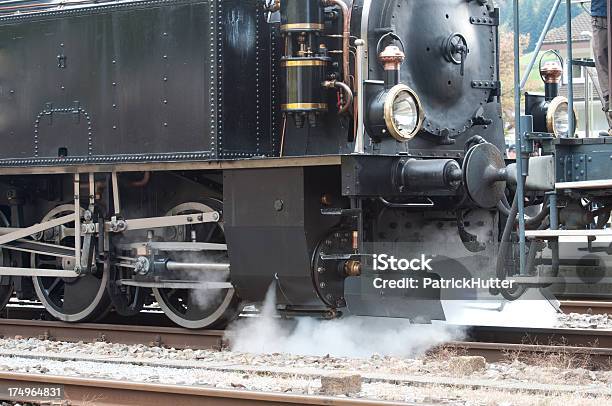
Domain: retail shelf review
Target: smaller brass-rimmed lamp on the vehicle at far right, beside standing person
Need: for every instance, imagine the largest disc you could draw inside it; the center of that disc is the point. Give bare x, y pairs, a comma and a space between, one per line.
549, 111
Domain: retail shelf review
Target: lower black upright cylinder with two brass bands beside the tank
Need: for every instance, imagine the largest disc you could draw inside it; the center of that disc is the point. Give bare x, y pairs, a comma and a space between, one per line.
303, 79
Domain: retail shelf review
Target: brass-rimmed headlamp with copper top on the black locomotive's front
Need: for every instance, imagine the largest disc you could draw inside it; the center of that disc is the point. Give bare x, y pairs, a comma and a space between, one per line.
396, 110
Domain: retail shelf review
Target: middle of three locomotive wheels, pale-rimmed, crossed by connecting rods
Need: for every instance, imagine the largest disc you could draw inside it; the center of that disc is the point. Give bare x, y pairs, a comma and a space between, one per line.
78, 299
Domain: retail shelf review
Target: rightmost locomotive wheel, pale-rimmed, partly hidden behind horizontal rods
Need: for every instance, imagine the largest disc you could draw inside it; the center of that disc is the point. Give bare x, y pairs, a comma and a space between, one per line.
198, 308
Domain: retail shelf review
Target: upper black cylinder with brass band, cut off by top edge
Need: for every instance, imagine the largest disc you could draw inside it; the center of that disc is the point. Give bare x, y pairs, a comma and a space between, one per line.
301, 16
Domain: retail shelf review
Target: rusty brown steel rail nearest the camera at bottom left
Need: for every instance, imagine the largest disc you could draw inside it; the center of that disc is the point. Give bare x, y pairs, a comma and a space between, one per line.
110, 392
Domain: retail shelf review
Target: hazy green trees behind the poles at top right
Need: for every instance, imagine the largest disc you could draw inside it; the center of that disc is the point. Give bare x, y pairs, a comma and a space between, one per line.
533, 15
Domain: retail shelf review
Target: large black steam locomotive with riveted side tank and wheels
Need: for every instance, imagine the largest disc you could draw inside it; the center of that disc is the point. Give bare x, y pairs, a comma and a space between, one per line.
193, 152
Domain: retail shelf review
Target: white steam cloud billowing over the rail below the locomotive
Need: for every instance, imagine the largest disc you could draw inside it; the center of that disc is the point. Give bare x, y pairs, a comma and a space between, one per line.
356, 337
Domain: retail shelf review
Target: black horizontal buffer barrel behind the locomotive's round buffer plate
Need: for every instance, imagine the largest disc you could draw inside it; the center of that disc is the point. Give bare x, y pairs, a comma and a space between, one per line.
429, 175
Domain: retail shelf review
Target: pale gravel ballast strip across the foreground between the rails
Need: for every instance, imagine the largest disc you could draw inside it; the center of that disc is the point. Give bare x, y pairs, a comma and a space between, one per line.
427, 379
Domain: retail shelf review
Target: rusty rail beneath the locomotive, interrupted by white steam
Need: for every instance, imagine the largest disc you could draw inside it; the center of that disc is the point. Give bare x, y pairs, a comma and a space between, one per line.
494, 343
